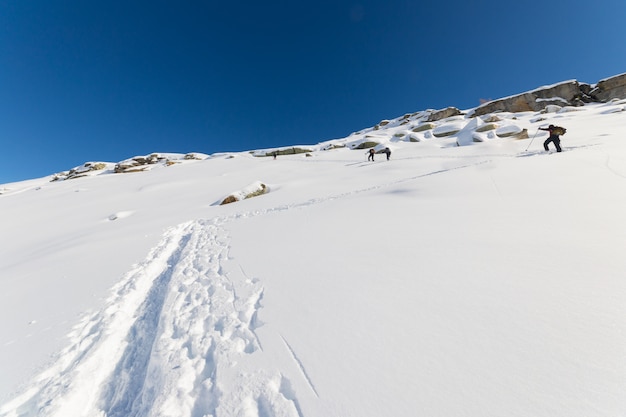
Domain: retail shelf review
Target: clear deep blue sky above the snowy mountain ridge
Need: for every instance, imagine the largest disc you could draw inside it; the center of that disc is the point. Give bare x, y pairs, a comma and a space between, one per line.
107, 80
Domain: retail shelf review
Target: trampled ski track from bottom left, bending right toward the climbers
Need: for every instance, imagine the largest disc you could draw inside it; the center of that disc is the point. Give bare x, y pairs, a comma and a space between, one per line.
169, 339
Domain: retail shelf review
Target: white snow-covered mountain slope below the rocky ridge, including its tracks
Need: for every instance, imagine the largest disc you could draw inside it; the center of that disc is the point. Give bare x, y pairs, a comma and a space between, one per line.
452, 280
